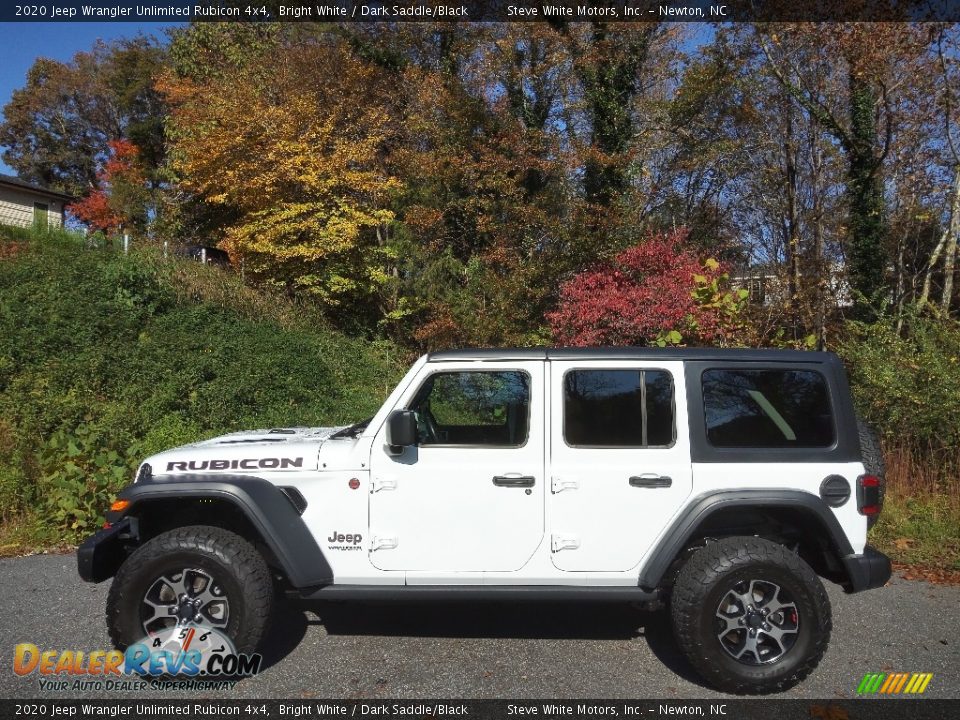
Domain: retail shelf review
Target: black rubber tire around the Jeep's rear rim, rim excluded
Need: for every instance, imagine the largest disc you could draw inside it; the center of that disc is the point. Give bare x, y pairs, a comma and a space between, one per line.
703, 583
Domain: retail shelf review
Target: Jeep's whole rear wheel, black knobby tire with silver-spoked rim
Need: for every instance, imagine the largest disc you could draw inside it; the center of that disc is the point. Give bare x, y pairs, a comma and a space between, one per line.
750, 615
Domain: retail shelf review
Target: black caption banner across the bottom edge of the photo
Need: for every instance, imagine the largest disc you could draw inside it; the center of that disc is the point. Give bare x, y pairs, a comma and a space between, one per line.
761, 709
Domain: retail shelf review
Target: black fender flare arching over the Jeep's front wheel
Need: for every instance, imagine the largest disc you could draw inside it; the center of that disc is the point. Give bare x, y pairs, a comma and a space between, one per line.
271, 512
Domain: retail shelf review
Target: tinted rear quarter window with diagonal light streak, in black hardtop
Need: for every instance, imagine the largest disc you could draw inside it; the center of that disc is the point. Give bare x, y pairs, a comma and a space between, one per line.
767, 409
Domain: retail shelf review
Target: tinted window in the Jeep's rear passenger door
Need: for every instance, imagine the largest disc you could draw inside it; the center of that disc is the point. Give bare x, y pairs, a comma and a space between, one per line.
618, 408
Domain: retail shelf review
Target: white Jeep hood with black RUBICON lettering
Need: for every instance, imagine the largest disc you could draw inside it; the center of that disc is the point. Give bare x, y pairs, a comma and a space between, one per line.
259, 451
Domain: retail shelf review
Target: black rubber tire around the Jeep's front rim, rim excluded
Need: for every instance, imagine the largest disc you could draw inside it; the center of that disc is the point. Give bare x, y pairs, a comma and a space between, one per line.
233, 561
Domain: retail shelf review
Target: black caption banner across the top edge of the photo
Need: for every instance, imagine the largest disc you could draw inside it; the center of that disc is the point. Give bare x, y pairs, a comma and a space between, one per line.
637, 11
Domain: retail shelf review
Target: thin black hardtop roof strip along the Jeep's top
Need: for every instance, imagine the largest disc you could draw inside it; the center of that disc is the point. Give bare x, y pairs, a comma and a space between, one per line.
635, 353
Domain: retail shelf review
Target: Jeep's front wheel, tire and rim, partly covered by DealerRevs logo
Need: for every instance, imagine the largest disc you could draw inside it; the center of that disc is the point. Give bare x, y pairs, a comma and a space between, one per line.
197, 574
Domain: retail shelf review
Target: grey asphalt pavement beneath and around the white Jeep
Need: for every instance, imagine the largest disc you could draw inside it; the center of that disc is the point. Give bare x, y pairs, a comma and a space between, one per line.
489, 651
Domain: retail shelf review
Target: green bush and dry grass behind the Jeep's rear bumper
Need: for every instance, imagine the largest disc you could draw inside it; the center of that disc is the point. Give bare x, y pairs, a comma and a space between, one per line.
907, 385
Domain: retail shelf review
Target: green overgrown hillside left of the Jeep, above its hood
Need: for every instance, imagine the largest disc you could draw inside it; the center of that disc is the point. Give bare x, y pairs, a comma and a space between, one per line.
106, 358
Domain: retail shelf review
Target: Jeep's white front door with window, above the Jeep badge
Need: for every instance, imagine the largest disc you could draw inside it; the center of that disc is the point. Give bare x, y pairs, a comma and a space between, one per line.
470, 496
